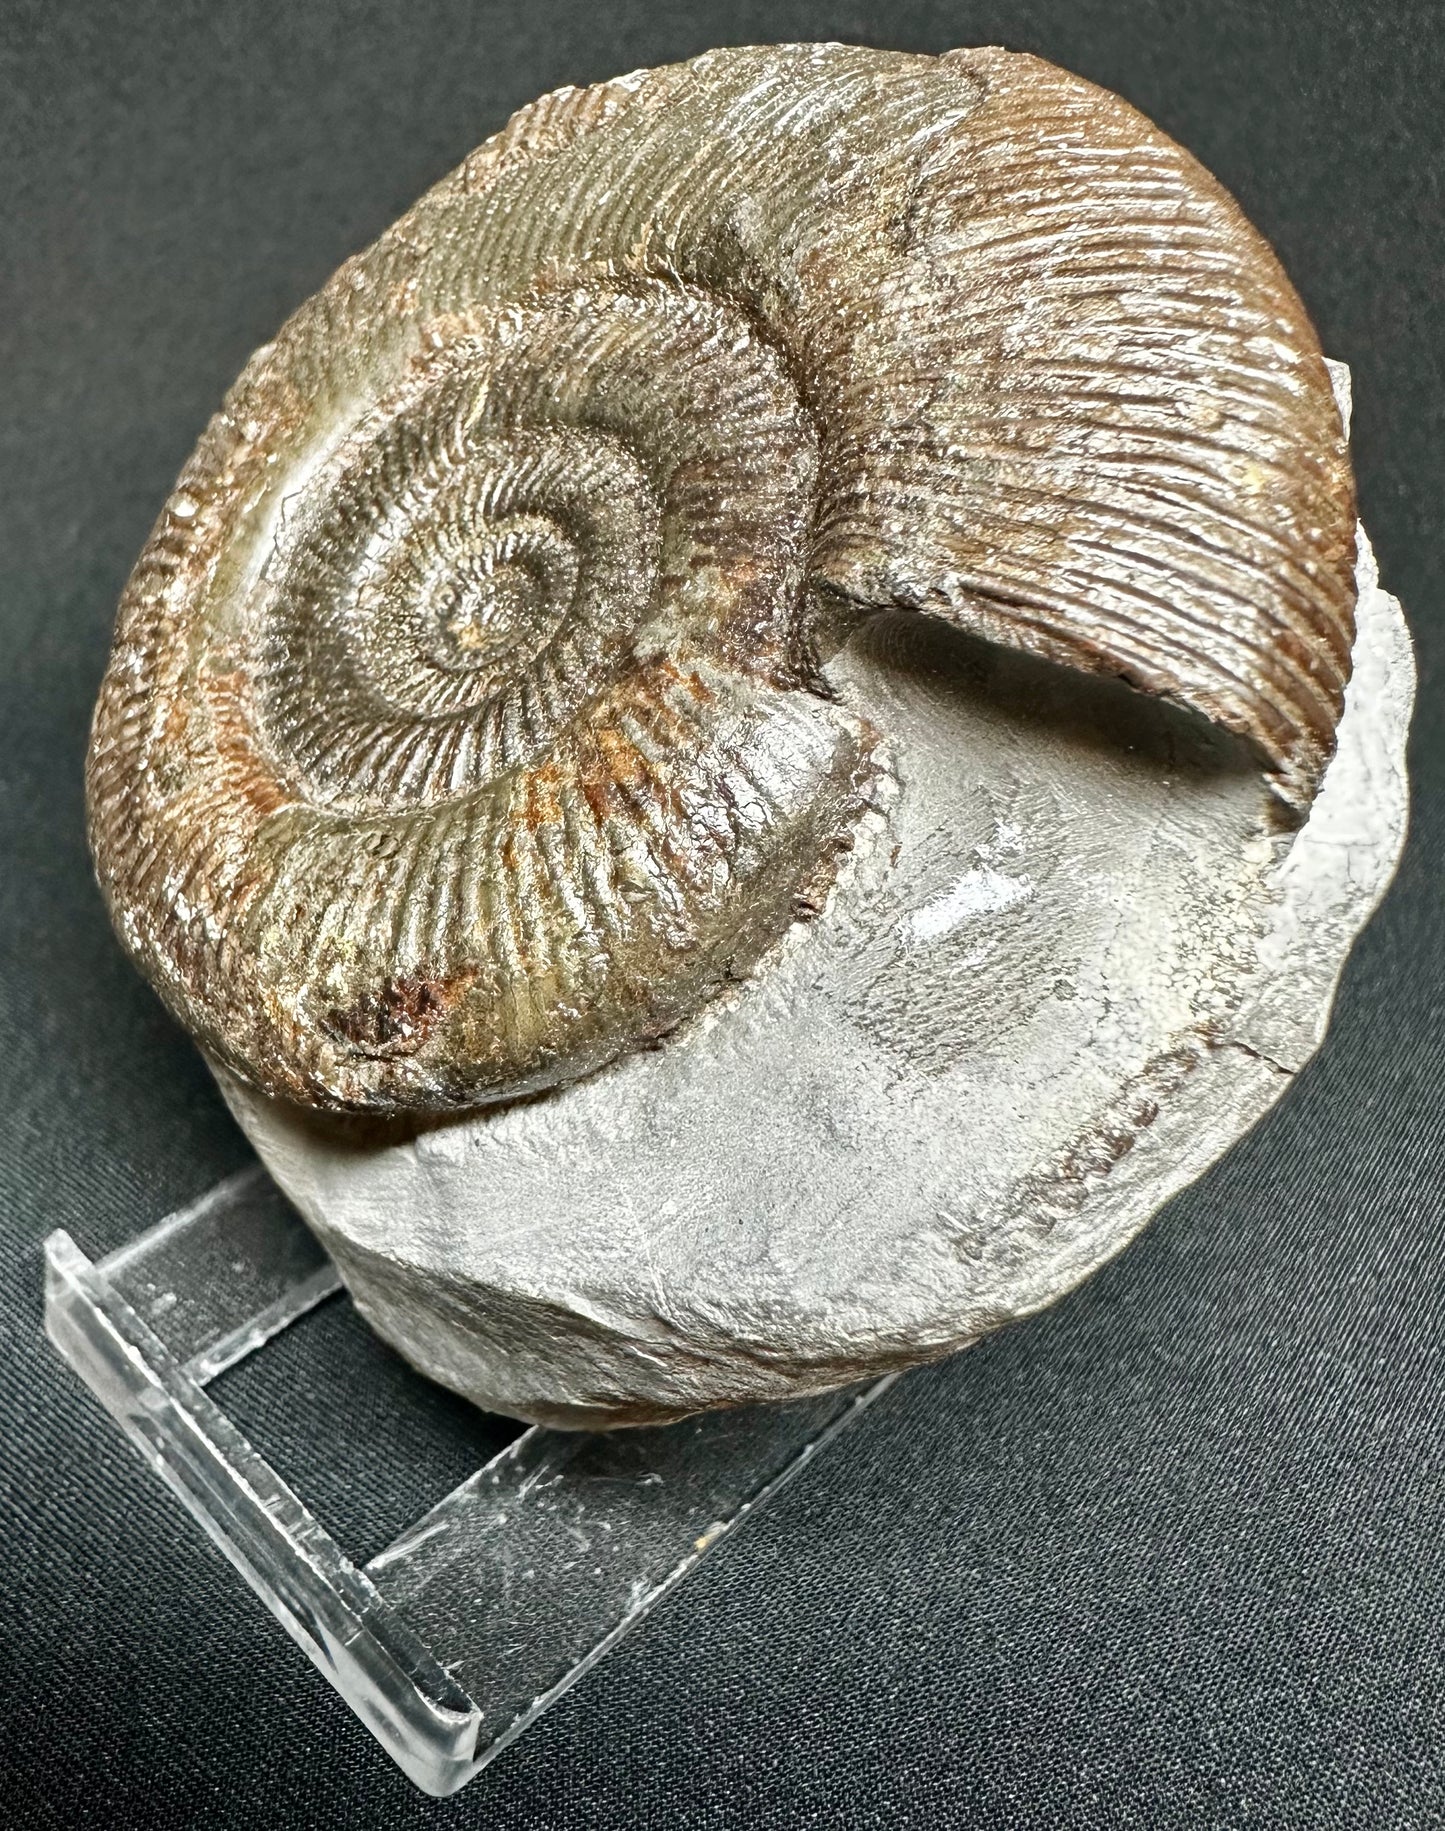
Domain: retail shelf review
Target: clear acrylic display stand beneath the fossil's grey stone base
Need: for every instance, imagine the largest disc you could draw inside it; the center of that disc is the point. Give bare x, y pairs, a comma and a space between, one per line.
492, 1605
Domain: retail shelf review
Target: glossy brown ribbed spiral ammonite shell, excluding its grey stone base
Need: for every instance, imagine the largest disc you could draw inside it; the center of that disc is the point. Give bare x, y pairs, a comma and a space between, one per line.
462, 726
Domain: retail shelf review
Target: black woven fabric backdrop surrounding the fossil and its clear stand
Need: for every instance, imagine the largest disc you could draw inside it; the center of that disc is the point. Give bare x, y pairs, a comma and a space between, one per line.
1169, 1555
